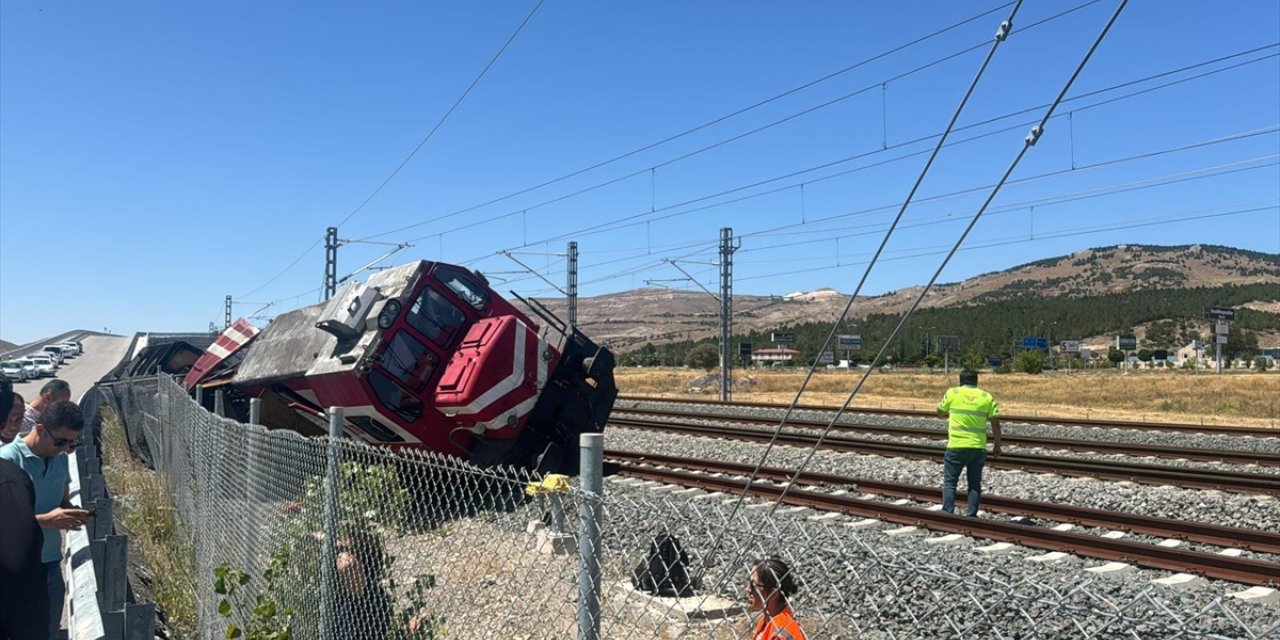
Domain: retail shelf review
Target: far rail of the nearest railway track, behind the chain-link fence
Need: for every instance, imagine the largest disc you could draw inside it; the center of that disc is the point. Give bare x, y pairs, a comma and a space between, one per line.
1252, 540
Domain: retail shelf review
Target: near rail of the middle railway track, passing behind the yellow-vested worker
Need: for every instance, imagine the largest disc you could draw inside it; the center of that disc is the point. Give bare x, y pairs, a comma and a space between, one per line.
1110, 470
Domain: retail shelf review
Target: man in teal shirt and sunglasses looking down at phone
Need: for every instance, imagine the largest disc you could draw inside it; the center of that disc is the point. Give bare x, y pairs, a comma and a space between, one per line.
43, 455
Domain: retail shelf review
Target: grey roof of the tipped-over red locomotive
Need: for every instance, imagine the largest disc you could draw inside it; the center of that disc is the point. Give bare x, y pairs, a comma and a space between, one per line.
292, 346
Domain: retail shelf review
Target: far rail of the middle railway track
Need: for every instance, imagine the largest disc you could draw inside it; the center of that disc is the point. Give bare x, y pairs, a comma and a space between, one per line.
1232, 456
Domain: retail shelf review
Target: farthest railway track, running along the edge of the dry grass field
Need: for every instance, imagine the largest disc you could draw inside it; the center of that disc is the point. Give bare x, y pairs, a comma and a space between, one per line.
1261, 432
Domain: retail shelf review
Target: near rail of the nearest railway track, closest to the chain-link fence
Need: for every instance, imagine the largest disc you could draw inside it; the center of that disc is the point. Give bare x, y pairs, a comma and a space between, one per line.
1209, 565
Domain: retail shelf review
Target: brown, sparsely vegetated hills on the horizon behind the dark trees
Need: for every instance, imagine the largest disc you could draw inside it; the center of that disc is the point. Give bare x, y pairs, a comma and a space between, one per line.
1090, 295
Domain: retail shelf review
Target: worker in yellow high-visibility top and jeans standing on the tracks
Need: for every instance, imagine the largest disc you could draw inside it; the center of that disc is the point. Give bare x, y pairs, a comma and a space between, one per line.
968, 410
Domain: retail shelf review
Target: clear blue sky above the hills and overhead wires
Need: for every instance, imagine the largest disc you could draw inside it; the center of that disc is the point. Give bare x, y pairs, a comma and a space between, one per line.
158, 157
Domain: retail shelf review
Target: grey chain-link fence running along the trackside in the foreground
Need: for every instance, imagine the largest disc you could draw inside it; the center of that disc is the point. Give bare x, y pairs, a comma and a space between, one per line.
335, 540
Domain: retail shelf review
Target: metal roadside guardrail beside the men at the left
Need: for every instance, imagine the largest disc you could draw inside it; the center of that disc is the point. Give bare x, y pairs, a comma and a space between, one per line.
97, 561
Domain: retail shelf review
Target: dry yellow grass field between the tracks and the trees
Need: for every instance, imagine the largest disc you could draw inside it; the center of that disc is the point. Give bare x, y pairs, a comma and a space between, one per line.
1232, 399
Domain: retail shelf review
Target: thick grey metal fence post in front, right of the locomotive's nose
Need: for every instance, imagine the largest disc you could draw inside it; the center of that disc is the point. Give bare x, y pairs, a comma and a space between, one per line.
589, 537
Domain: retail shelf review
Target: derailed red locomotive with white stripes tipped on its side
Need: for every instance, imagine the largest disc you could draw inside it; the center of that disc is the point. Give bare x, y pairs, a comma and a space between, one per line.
424, 355
